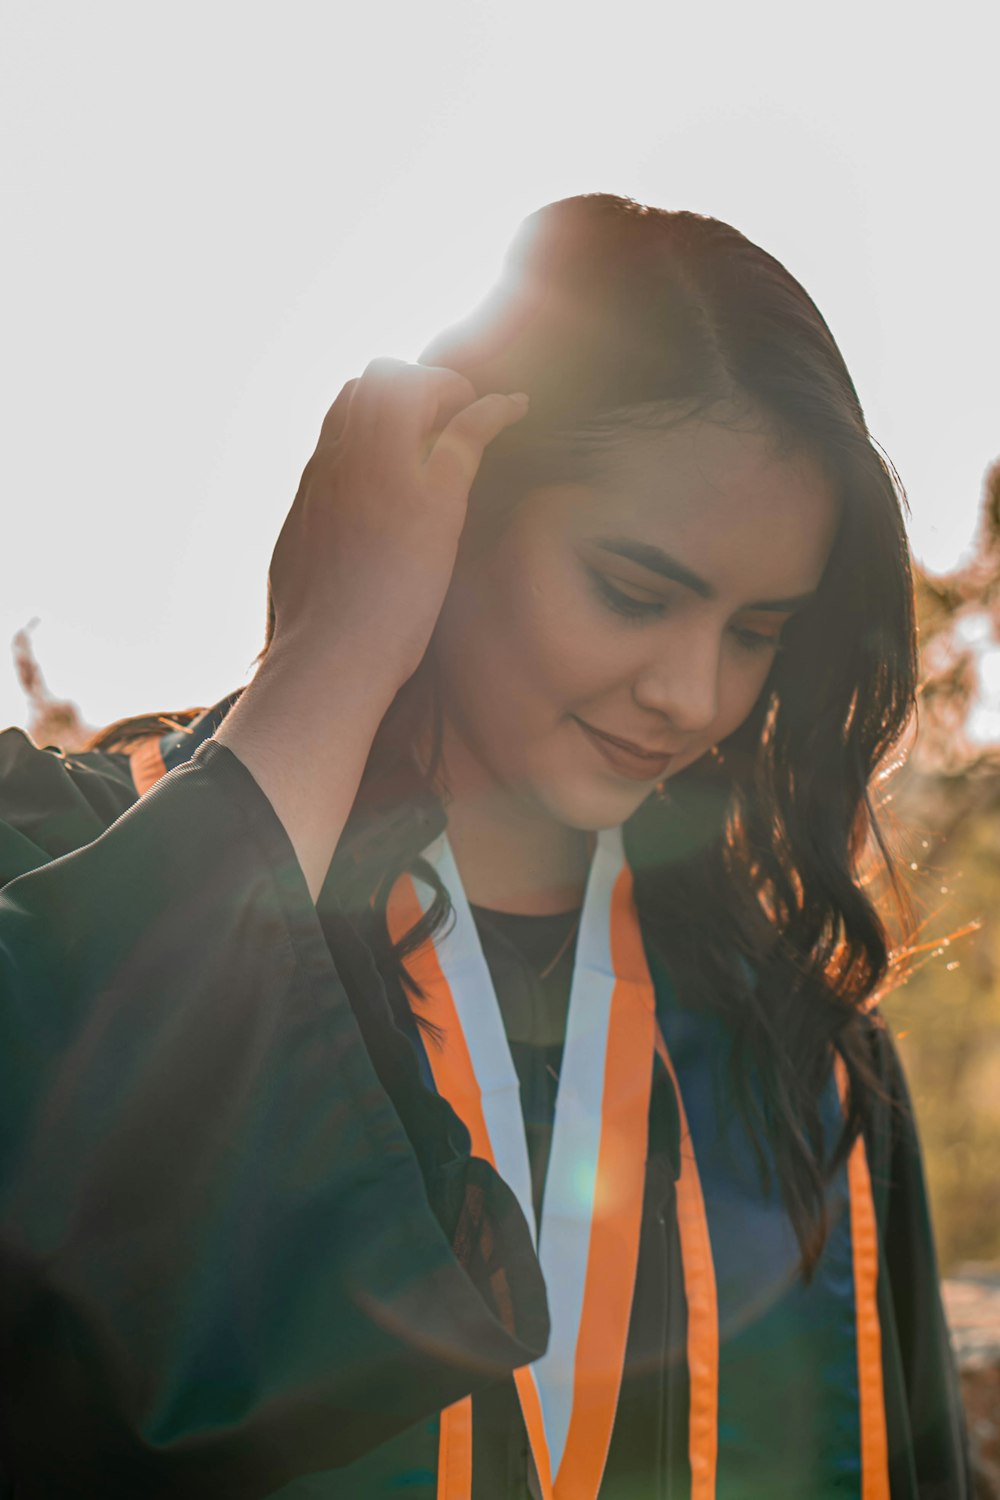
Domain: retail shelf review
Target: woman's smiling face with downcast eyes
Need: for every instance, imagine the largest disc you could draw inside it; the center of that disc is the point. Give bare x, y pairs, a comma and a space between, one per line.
620, 629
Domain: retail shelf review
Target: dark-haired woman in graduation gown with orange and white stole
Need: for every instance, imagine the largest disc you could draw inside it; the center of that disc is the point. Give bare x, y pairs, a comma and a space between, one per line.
482, 1004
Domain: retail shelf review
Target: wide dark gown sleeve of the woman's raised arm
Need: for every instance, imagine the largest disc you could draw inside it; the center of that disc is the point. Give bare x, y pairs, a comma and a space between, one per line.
229, 1255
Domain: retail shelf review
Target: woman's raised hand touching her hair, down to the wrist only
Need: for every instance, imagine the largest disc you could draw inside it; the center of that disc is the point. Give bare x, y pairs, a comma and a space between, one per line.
370, 545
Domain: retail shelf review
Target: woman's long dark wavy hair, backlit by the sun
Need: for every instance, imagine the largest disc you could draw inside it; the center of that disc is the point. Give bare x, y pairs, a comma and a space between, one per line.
753, 869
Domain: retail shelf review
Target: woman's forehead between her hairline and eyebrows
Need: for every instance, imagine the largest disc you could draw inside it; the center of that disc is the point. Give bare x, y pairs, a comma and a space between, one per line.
755, 520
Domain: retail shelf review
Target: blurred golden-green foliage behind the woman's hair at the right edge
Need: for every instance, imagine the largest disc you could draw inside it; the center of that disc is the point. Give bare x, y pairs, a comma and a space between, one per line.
947, 803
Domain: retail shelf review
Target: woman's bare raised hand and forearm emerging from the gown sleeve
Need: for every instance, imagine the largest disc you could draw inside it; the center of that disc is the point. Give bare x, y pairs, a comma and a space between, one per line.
358, 581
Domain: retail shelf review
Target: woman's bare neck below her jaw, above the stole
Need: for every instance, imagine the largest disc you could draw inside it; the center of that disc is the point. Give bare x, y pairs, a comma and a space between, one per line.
512, 854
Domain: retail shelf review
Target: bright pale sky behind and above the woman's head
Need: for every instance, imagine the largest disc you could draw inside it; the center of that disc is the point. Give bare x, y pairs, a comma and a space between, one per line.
217, 214
